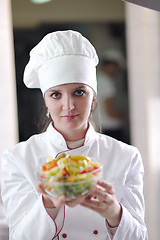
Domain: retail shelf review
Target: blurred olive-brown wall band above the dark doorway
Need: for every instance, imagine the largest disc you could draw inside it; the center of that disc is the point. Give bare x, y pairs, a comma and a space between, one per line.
27, 14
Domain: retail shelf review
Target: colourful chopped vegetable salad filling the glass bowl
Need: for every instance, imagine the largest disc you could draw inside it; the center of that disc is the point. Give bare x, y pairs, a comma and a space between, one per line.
69, 175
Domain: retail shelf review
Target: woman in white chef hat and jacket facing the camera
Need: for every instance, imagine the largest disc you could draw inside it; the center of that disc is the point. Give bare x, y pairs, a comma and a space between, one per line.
63, 66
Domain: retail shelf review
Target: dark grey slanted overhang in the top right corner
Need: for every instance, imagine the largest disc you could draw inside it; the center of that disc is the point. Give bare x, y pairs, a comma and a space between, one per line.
152, 4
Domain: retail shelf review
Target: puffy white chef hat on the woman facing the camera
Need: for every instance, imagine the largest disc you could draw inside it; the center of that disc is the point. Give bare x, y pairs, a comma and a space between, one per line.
61, 57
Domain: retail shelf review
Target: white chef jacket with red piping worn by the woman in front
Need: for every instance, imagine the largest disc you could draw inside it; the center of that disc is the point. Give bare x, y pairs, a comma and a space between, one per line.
26, 214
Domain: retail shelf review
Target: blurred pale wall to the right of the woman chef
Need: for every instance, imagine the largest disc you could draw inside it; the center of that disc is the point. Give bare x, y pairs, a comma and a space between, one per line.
143, 47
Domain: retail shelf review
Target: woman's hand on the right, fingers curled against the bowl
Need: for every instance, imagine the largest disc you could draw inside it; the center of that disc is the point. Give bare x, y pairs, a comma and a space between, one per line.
105, 204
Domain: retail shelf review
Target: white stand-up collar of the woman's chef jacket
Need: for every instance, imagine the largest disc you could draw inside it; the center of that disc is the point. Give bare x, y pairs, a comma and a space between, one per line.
57, 139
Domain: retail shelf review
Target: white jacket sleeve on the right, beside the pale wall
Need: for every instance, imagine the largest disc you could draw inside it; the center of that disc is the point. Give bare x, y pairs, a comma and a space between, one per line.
132, 224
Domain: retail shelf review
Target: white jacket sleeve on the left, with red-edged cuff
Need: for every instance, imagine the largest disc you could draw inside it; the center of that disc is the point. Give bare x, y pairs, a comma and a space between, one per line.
26, 215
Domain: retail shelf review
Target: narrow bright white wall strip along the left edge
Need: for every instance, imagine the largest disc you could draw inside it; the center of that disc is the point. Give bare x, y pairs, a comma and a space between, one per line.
8, 119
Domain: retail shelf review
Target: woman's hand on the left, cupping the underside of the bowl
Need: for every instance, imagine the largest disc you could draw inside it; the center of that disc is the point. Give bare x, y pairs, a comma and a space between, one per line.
51, 202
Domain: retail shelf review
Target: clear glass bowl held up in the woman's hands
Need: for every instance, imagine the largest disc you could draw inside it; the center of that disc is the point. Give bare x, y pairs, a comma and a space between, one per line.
72, 186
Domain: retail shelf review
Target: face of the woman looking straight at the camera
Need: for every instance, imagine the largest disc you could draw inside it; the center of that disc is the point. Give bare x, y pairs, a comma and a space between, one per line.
70, 106
